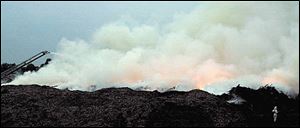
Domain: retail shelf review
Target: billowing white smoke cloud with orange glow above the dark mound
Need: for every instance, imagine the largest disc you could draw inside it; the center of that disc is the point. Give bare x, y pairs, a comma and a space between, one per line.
214, 47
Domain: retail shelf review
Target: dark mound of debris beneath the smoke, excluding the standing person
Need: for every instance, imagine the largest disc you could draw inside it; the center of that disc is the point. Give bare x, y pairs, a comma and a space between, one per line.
35, 105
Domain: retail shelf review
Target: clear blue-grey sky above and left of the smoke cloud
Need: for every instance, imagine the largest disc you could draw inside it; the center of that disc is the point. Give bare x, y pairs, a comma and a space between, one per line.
30, 27
